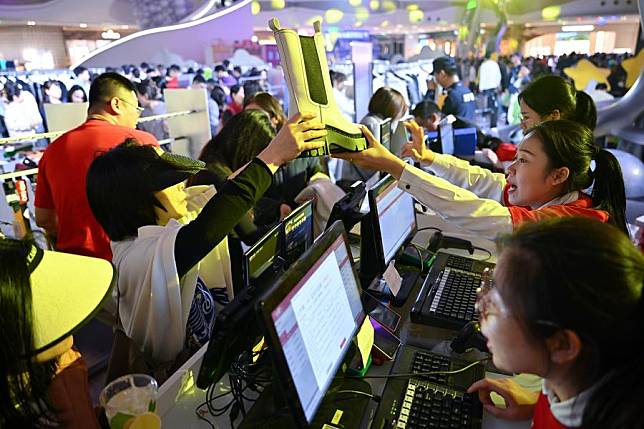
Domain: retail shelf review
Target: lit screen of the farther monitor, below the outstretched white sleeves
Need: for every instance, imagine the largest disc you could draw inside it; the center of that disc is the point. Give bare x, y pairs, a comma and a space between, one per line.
396, 217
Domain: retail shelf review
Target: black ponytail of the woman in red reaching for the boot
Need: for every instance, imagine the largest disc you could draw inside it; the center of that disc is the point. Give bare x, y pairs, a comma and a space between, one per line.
609, 193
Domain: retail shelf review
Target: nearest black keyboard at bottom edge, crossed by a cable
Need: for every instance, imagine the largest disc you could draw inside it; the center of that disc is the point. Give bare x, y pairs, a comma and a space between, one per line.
435, 401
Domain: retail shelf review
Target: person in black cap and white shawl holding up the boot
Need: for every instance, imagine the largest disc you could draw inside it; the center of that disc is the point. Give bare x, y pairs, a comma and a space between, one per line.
168, 244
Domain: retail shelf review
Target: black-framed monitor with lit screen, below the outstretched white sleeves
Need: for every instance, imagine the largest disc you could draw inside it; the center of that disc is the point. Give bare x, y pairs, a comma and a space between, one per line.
390, 223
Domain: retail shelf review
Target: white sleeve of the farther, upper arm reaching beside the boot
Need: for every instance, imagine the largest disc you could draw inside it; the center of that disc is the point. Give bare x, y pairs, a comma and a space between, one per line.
461, 173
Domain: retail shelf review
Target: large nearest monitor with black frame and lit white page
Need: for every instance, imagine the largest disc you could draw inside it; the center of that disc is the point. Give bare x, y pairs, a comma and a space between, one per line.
309, 318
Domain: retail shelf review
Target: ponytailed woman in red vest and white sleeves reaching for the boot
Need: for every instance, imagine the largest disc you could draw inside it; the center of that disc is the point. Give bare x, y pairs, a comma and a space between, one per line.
547, 179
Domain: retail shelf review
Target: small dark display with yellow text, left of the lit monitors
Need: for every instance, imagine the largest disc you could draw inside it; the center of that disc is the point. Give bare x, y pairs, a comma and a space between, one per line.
298, 232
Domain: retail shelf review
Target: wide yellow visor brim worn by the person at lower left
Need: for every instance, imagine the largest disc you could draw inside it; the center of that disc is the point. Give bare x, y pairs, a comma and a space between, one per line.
67, 291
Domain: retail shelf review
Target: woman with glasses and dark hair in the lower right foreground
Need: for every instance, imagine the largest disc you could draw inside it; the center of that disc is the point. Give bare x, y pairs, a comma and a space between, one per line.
567, 305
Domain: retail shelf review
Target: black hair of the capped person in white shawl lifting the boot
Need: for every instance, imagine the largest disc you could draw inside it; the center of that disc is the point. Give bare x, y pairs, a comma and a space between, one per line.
117, 178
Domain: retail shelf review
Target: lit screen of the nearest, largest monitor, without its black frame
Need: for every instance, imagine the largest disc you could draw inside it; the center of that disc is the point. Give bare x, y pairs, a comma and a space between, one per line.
316, 321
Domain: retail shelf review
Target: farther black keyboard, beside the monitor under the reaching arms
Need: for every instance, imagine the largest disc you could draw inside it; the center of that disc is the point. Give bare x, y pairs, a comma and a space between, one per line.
448, 295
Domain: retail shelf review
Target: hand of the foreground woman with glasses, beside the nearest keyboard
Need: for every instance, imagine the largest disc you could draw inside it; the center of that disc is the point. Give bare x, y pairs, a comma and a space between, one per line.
519, 401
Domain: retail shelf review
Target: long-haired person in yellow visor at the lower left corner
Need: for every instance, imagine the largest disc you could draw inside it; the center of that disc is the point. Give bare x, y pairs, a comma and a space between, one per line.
44, 297
